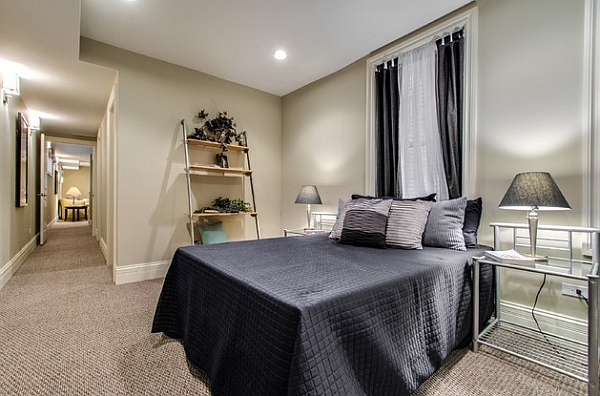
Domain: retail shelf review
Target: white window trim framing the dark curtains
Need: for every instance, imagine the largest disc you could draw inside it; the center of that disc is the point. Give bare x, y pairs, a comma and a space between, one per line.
469, 20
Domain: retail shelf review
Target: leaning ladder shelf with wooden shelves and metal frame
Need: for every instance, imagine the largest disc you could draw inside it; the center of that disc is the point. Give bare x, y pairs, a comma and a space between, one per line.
216, 170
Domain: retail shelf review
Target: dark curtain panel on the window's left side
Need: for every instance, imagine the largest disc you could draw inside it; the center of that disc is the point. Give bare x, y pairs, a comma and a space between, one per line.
387, 103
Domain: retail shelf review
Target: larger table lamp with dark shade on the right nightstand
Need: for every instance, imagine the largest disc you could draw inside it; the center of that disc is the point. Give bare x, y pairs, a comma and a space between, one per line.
534, 191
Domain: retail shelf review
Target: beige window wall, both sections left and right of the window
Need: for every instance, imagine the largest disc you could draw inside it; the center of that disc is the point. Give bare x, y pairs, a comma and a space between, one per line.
530, 114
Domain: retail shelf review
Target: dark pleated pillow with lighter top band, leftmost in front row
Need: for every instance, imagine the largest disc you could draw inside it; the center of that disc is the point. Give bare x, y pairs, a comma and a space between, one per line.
365, 221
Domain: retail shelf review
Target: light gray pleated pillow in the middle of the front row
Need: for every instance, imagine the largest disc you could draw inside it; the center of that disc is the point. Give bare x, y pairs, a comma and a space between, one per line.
406, 223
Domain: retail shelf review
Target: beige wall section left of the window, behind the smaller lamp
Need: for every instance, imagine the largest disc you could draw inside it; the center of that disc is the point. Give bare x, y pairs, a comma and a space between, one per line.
323, 141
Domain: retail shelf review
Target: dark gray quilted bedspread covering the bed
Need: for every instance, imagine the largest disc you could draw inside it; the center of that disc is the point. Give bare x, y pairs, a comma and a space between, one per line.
308, 316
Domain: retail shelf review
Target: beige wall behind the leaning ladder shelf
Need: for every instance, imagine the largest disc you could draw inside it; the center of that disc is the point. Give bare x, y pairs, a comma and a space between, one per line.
152, 98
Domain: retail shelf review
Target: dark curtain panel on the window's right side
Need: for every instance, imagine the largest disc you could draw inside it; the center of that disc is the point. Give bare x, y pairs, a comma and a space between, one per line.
450, 107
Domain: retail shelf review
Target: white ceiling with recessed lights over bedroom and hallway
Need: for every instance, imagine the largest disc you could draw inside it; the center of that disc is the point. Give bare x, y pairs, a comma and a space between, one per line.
230, 39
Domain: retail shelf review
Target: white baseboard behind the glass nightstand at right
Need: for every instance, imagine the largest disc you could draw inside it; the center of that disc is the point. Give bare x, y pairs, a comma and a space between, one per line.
550, 322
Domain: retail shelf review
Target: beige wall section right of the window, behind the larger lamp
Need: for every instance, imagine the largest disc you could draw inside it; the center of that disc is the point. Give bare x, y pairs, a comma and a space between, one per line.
531, 113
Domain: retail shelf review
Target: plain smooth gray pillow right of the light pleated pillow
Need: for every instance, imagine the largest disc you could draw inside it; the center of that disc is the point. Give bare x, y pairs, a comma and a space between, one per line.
444, 224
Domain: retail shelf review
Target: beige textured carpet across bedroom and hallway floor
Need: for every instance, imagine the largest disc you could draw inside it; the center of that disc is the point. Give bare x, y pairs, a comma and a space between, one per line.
65, 329
